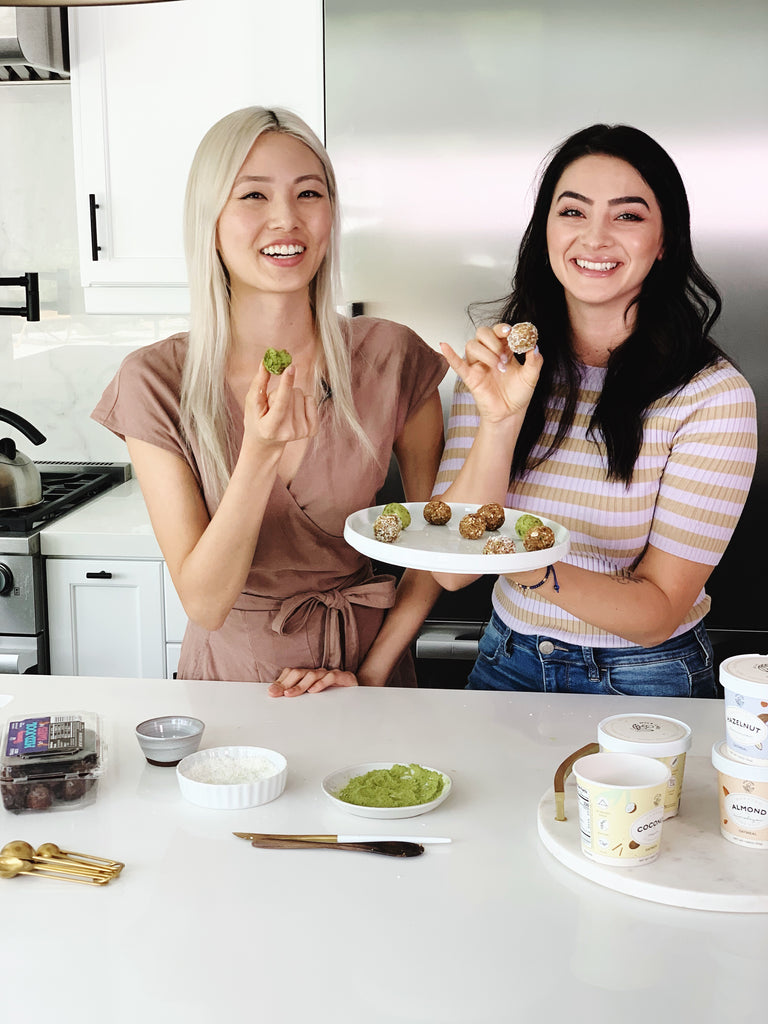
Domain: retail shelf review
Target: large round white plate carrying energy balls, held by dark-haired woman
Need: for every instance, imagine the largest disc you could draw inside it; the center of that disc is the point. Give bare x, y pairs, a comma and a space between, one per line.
443, 549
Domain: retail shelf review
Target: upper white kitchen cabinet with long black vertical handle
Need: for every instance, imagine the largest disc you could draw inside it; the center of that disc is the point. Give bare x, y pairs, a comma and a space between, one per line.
148, 81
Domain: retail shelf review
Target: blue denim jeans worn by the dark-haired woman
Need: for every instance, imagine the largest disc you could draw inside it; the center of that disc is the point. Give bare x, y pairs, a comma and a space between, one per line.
682, 667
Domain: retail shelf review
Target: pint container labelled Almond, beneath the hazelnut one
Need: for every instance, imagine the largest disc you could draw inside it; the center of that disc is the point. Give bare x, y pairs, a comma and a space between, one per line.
744, 799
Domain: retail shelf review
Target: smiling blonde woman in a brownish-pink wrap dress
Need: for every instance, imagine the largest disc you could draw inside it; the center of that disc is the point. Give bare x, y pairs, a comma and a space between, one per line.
248, 477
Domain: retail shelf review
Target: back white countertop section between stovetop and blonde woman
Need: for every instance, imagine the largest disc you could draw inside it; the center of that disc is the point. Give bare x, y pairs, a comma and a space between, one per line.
115, 525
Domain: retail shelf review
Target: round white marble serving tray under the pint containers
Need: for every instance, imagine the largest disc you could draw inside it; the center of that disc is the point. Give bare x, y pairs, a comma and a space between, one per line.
697, 868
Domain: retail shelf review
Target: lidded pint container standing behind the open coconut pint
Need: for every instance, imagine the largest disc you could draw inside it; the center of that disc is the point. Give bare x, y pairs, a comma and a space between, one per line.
667, 740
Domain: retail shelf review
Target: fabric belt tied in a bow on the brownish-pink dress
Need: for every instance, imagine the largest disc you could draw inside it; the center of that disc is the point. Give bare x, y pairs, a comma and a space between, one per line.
293, 614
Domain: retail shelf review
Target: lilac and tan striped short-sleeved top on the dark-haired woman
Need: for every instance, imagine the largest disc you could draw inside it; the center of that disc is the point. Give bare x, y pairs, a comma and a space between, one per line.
691, 485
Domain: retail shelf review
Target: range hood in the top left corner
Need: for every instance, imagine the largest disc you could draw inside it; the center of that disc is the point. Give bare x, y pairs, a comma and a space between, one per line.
34, 45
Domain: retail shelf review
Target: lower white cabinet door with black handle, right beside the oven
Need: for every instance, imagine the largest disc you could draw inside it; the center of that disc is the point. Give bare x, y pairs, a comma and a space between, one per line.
106, 618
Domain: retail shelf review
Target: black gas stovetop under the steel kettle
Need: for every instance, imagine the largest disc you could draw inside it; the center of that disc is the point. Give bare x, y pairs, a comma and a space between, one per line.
67, 486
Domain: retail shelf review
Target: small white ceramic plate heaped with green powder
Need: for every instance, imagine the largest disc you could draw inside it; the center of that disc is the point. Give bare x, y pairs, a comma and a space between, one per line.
388, 789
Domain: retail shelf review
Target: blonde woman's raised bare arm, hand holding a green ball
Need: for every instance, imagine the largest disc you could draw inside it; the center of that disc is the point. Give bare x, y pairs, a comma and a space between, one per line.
209, 558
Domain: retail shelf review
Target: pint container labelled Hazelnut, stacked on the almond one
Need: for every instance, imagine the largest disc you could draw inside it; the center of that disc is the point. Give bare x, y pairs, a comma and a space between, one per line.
745, 679
